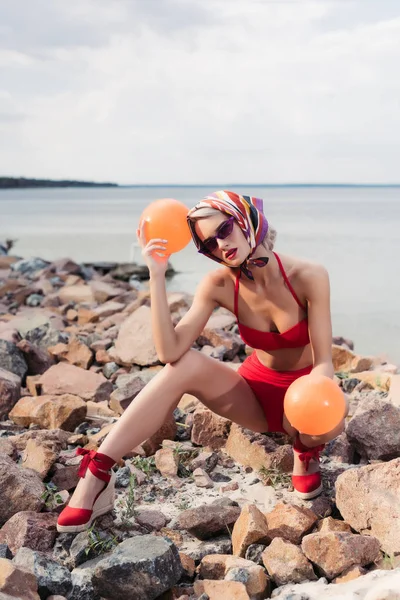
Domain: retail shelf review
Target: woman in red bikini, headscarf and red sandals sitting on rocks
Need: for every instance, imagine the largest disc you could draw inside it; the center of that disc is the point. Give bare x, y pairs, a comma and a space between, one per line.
283, 311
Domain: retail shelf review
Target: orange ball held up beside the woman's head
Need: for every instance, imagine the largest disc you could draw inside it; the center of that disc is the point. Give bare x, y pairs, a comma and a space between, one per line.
166, 219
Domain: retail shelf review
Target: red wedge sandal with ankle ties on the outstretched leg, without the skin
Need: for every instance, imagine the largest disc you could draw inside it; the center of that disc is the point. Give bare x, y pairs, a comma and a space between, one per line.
74, 520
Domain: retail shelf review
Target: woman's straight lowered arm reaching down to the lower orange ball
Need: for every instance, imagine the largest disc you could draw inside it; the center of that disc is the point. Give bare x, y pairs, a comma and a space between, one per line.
316, 280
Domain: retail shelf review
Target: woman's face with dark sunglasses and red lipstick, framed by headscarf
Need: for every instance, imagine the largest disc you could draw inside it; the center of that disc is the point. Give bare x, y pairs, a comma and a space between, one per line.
233, 248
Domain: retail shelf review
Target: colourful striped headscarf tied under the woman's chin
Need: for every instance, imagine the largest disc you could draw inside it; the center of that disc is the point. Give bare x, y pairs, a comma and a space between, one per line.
248, 213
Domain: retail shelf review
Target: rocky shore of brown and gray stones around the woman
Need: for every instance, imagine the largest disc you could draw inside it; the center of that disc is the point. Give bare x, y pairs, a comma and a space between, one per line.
204, 507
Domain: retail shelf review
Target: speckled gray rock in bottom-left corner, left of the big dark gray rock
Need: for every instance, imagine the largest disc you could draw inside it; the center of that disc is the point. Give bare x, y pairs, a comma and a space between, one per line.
52, 578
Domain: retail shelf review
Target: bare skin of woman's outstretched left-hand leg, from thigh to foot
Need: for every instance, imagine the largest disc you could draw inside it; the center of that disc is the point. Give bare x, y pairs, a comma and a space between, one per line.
218, 387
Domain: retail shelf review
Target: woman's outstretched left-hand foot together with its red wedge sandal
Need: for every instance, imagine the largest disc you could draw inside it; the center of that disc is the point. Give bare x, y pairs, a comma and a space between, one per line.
93, 496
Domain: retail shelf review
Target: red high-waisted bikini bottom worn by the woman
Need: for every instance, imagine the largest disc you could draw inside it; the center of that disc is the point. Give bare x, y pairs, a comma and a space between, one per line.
269, 387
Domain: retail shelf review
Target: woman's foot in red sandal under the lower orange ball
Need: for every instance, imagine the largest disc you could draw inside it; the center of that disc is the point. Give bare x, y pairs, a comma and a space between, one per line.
306, 476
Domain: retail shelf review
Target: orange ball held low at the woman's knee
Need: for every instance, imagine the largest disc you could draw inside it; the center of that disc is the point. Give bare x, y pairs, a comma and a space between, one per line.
314, 404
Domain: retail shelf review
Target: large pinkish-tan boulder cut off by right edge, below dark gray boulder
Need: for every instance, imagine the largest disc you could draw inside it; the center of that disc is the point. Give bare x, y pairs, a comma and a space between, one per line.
377, 489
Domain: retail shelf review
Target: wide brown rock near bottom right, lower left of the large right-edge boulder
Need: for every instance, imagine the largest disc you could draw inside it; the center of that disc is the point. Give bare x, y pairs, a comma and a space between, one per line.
336, 551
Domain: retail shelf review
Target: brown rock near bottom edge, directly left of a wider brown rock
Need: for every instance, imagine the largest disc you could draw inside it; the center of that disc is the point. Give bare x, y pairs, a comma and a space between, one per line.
286, 563
